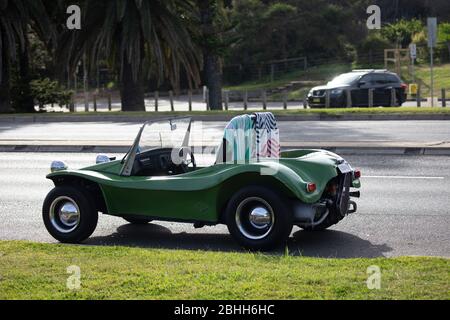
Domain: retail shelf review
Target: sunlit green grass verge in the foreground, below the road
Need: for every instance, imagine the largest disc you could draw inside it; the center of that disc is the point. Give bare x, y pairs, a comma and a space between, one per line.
39, 271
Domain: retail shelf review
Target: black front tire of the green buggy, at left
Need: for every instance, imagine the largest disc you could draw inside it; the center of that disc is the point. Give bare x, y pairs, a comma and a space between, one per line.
88, 215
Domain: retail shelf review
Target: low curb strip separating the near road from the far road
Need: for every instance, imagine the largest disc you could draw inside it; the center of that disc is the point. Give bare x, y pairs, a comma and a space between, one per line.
413, 151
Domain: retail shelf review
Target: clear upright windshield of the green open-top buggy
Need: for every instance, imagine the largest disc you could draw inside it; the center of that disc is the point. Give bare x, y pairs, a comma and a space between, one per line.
169, 133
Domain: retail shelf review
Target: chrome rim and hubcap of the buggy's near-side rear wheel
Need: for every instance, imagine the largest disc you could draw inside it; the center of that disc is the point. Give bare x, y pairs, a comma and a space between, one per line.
255, 218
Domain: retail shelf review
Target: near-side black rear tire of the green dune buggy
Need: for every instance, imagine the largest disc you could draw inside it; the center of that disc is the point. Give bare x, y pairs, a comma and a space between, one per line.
247, 200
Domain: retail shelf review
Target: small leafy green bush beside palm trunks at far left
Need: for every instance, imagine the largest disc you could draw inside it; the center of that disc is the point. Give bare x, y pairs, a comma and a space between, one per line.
46, 91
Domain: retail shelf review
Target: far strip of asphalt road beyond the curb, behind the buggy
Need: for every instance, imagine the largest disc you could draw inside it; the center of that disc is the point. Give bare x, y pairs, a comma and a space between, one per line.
212, 132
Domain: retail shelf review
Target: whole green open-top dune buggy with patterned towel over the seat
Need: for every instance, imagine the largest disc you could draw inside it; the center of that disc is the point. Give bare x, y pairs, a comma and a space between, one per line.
260, 196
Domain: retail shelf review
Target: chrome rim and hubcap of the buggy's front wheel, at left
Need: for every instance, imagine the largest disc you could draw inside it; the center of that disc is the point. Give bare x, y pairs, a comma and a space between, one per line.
64, 214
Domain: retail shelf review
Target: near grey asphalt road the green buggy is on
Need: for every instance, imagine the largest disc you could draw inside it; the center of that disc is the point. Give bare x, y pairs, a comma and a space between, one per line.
404, 210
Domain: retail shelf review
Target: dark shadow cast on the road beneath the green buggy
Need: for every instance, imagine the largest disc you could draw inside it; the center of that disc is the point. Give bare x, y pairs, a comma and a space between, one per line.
324, 244
